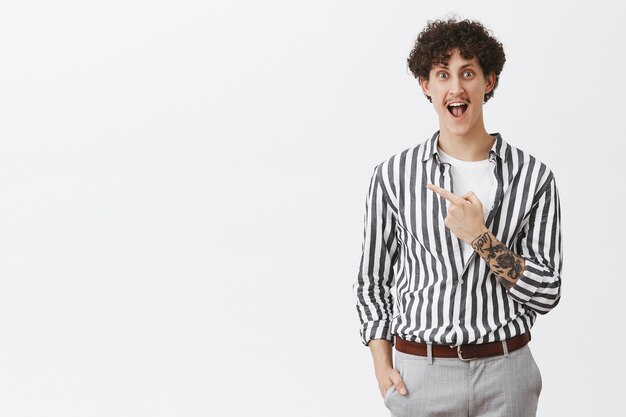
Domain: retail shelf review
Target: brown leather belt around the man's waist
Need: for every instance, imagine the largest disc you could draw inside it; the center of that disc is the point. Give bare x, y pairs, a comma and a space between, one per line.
463, 352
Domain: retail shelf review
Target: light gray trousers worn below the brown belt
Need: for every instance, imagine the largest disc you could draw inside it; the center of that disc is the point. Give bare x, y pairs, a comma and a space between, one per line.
500, 386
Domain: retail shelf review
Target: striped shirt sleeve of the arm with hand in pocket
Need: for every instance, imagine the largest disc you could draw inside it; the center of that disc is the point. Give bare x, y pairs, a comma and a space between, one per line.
373, 288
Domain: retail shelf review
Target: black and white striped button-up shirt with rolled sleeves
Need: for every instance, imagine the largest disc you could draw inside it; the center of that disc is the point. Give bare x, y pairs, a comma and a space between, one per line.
413, 281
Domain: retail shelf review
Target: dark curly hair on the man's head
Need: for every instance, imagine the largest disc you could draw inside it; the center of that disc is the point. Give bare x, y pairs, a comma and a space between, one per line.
434, 46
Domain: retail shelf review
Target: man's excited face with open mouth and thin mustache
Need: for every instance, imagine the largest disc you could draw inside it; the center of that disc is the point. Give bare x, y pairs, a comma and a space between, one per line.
457, 91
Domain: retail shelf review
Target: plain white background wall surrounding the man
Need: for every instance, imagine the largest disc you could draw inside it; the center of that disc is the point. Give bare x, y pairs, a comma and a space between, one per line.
182, 191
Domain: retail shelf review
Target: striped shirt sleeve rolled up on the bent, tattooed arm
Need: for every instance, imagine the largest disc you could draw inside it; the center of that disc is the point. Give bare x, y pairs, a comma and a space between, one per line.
540, 245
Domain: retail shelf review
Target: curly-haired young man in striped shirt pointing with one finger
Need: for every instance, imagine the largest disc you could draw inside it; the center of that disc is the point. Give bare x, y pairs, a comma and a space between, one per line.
463, 233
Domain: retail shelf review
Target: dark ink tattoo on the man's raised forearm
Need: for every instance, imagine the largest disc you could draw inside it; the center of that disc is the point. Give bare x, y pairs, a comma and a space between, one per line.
501, 260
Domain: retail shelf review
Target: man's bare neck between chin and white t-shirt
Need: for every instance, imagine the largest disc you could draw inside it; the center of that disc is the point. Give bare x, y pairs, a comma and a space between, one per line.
472, 147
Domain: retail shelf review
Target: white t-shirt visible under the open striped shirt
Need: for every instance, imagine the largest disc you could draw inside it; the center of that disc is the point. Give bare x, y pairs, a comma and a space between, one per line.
476, 176
